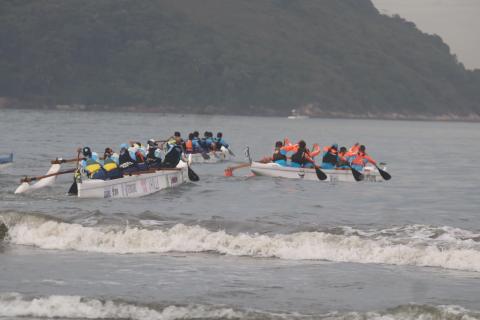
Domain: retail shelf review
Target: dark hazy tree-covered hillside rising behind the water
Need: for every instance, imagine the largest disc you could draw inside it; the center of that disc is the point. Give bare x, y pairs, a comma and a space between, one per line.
326, 57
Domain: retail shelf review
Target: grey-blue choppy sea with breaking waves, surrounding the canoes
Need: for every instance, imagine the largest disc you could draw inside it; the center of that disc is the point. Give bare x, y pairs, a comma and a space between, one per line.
244, 247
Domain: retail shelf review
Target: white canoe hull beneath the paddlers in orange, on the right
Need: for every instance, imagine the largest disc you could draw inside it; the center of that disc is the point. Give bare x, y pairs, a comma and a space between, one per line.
371, 174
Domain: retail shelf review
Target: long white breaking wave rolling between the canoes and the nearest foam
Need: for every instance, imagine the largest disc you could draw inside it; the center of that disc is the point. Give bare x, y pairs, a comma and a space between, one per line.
415, 245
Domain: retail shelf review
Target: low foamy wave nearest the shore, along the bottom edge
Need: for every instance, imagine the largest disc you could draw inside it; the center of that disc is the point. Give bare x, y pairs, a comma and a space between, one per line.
77, 307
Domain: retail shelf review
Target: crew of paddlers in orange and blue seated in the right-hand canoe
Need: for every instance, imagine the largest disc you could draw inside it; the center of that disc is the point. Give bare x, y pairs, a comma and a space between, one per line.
299, 156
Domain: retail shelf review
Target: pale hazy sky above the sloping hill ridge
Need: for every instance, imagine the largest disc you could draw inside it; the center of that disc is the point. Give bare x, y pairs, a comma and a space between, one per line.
456, 21
